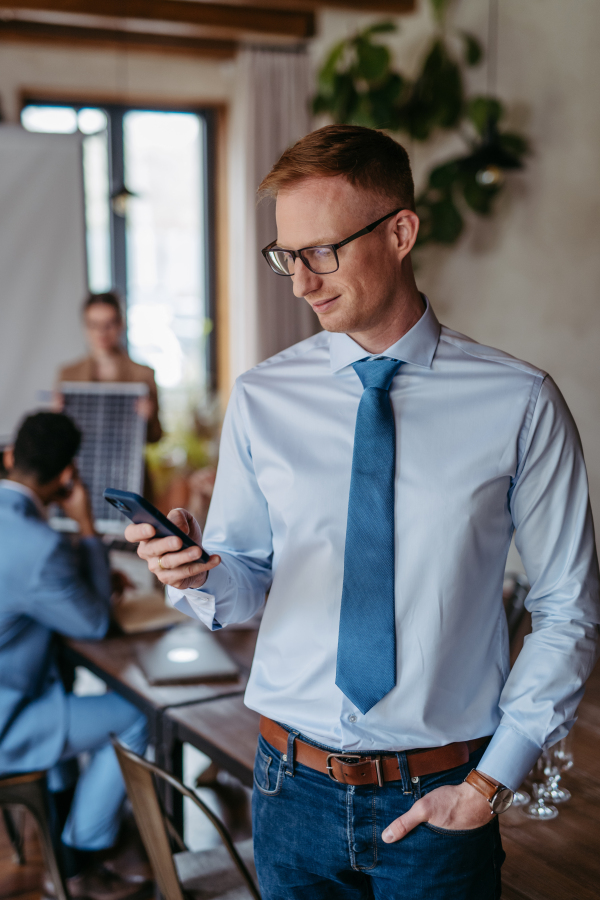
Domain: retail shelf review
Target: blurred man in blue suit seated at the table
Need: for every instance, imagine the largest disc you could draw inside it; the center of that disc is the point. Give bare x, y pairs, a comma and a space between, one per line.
46, 587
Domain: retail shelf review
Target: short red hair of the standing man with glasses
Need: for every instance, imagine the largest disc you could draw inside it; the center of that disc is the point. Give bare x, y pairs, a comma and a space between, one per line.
368, 159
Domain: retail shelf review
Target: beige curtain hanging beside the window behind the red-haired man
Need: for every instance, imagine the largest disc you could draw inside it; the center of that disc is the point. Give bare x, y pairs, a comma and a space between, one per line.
273, 113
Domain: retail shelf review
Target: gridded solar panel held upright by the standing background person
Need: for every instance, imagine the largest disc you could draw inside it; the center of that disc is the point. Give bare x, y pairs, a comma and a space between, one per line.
112, 448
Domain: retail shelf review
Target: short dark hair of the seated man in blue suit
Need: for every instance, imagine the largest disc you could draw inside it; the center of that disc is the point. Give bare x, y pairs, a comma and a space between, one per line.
46, 443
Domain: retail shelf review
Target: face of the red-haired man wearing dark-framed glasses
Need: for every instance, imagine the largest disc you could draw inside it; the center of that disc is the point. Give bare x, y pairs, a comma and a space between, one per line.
362, 293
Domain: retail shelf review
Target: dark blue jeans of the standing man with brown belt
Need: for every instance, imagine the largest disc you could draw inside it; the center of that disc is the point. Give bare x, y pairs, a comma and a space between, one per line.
315, 839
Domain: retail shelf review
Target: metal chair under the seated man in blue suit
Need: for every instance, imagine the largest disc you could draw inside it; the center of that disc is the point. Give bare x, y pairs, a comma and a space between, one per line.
29, 790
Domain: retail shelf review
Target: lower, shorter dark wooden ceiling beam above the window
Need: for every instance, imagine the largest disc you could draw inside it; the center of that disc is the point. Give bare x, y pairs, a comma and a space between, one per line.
20, 30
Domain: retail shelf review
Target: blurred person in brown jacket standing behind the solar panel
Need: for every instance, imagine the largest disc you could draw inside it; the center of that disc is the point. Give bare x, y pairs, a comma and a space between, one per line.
108, 359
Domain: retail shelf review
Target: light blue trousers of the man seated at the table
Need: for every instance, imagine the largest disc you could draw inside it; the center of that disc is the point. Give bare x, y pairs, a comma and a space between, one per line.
94, 818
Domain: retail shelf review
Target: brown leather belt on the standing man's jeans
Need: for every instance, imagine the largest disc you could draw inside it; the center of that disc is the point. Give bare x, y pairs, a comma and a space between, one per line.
351, 768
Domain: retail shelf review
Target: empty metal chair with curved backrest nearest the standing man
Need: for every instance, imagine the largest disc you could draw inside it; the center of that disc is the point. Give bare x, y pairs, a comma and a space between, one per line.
221, 873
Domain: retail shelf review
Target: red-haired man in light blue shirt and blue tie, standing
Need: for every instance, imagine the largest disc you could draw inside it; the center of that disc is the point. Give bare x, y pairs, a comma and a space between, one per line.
484, 446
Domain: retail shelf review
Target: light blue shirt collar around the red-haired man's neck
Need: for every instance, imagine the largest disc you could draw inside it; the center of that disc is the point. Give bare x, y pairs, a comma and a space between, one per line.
417, 346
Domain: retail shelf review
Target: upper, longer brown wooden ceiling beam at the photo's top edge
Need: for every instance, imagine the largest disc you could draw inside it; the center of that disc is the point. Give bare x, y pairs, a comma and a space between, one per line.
296, 23
